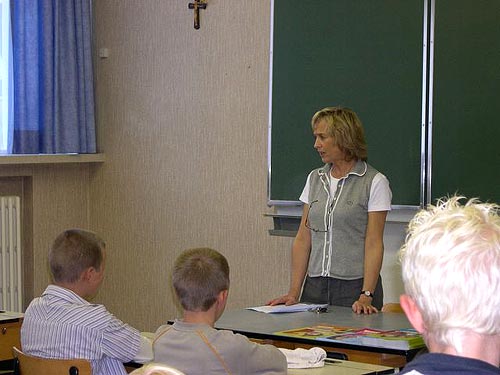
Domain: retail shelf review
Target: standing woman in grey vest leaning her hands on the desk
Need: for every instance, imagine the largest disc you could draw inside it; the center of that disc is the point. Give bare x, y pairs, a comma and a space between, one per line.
338, 250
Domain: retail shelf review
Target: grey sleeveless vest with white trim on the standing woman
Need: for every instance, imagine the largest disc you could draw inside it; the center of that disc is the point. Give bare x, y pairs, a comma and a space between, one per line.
339, 252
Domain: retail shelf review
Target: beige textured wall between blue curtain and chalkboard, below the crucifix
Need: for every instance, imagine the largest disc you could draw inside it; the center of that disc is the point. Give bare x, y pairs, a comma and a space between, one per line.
183, 119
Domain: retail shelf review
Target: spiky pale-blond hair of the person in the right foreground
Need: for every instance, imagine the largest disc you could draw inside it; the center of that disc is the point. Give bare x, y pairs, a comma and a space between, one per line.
451, 269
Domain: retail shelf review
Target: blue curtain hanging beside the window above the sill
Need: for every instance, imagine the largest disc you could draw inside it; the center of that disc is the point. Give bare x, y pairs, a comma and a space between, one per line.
53, 77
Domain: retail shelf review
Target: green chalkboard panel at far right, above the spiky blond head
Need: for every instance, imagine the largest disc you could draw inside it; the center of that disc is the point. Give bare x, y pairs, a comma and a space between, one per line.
466, 125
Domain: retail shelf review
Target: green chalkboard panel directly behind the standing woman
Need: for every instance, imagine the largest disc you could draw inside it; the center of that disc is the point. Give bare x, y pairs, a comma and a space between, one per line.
363, 54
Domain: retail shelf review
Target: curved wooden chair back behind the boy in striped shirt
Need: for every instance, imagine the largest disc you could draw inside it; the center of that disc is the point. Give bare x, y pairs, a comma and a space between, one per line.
29, 365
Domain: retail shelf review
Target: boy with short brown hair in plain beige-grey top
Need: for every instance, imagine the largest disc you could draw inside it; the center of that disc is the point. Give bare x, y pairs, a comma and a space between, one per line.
193, 345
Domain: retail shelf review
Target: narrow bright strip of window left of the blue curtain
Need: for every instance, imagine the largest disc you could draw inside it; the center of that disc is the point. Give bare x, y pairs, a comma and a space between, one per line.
4, 73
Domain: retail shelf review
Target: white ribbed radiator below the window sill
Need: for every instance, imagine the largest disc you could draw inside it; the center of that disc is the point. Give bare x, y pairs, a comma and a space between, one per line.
10, 254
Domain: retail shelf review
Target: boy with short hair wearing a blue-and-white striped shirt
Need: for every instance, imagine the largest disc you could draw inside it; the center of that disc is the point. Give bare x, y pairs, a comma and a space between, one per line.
61, 323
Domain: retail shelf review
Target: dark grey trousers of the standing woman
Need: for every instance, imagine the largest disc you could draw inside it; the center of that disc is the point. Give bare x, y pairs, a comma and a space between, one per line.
338, 292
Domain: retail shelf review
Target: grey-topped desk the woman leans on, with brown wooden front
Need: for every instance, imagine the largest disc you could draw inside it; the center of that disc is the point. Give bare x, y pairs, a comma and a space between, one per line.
262, 326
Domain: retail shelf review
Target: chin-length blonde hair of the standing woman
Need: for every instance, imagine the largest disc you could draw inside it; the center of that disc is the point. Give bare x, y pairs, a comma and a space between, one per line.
345, 127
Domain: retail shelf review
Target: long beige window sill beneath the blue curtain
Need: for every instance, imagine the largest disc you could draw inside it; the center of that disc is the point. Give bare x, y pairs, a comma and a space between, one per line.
51, 159
